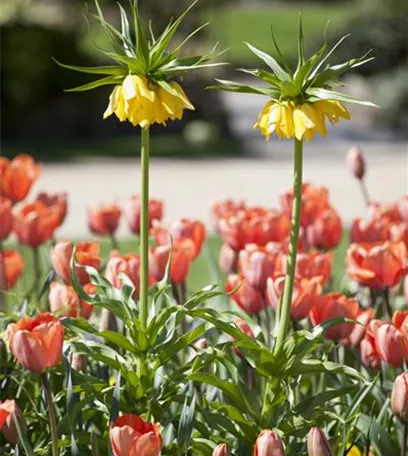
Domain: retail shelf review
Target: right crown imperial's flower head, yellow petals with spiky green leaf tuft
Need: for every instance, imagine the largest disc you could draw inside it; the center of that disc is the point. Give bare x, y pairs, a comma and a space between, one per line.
300, 100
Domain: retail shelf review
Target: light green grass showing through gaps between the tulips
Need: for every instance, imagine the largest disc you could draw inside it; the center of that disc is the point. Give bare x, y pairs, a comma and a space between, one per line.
204, 270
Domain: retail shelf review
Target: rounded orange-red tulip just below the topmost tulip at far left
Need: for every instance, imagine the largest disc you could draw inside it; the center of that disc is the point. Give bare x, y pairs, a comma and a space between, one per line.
35, 223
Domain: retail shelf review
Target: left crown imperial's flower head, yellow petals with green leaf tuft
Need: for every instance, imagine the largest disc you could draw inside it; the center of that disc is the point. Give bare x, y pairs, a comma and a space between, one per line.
144, 69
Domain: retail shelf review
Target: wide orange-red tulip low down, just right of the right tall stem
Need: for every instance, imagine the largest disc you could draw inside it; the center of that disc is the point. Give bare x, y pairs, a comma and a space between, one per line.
334, 305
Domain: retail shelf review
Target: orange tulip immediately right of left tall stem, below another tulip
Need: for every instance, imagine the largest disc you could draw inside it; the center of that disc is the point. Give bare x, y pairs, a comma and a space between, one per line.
182, 256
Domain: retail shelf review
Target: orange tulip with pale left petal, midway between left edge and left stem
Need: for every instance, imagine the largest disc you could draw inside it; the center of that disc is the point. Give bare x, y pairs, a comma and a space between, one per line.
86, 254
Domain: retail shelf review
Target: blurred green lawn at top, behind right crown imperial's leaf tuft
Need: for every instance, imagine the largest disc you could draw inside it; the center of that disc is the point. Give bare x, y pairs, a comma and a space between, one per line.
232, 25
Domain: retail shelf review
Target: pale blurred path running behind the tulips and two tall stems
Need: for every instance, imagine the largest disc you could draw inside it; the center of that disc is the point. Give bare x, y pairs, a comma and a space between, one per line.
189, 187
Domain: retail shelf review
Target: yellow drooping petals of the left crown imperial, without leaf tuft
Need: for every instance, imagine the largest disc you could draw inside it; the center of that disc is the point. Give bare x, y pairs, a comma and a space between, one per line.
143, 103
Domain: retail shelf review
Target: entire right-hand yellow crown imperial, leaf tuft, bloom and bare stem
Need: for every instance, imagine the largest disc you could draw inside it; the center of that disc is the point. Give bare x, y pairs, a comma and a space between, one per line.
300, 102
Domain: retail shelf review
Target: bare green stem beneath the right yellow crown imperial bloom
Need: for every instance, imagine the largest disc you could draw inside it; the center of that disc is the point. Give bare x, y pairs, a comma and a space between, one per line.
284, 311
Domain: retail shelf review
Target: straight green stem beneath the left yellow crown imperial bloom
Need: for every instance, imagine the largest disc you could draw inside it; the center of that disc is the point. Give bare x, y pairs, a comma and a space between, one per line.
144, 227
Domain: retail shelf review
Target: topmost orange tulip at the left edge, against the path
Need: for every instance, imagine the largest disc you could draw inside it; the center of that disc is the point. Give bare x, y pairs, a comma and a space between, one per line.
17, 176
